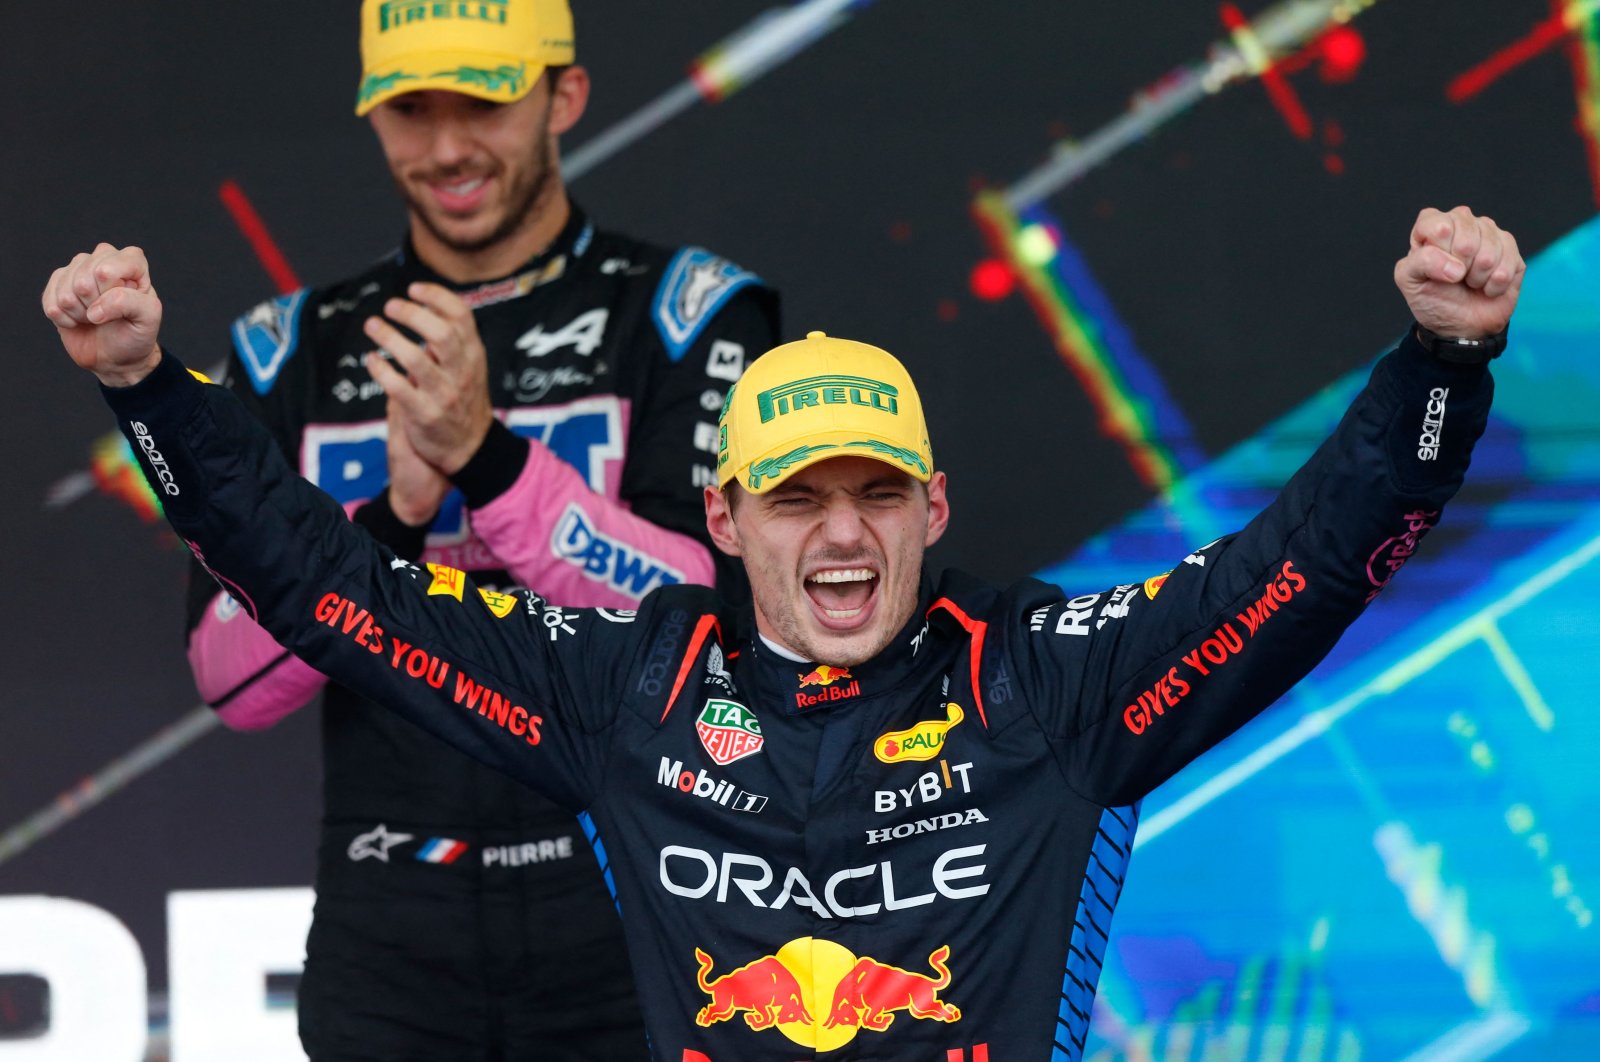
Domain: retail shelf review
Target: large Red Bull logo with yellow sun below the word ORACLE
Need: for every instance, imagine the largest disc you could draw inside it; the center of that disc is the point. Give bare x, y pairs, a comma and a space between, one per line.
822, 996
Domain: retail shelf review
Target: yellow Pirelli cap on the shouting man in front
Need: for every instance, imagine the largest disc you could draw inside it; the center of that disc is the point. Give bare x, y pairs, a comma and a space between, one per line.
818, 399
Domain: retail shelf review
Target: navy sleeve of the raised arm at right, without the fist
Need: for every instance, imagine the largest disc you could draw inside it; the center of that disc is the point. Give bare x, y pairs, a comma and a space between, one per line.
1242, 621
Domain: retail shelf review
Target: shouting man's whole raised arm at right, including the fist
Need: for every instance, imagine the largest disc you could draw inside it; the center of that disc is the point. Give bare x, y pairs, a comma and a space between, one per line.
1137, 682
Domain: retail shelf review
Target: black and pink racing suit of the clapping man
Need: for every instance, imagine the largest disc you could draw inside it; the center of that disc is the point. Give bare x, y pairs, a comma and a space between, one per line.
460, 916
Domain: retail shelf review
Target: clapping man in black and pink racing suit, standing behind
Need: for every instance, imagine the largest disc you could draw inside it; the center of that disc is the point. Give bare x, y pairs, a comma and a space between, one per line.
458, 914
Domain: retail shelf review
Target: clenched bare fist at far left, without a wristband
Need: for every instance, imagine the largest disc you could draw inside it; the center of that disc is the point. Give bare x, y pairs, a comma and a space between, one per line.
108, 314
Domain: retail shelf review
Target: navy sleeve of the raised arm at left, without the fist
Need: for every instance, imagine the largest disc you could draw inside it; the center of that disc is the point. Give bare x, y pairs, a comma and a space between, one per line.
418, 642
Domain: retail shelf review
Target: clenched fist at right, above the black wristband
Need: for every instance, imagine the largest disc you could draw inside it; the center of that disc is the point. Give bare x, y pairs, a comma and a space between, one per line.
1463, 274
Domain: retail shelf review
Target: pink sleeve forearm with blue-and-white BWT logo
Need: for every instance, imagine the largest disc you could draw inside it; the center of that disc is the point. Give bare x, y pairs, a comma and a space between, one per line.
569, 545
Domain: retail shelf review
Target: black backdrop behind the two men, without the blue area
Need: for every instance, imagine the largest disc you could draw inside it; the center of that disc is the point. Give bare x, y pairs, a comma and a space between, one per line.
1247, 271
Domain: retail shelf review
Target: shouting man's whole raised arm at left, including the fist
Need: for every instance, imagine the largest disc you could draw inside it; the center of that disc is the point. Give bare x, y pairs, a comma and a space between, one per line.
486, 673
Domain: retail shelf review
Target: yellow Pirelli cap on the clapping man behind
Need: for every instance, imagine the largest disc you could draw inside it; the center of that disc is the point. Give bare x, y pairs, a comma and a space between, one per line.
487, 49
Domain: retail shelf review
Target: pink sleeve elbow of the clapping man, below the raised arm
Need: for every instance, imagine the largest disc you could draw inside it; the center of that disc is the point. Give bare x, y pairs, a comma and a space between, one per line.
244, 674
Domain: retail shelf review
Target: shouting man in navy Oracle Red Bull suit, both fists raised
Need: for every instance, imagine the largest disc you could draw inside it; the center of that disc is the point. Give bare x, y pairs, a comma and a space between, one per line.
870, 816
